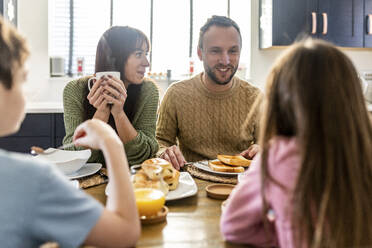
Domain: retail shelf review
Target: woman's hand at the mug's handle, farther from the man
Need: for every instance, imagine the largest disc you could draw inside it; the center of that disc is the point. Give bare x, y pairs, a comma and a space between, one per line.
96, 96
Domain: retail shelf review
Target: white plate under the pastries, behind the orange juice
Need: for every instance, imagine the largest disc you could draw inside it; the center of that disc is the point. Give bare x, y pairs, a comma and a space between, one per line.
186, 188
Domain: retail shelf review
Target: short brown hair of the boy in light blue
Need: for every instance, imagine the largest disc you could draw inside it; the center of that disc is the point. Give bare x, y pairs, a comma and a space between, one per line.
13, 52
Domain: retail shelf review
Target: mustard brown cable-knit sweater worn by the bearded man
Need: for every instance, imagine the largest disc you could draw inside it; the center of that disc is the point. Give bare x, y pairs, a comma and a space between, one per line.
205, 124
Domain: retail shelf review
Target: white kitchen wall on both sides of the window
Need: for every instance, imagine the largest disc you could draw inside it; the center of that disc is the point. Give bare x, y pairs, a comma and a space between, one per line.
34, 25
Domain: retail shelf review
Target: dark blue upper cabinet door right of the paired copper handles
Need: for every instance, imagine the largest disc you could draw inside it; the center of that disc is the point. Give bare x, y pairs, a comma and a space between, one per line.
341, 22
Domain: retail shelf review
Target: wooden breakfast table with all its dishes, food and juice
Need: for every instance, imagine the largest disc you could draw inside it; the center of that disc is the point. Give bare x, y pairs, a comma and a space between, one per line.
188, 213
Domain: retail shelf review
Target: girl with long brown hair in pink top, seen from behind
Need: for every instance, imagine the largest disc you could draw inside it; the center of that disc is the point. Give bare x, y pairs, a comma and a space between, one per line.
312, 184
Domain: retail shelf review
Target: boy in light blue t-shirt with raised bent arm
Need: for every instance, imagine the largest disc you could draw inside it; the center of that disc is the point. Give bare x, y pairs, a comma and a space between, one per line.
37, 203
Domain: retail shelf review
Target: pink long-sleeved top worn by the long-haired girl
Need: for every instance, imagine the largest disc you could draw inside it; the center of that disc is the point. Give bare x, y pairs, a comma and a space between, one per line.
242, 219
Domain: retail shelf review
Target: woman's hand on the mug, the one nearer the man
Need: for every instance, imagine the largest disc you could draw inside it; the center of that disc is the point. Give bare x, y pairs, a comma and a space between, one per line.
116, 94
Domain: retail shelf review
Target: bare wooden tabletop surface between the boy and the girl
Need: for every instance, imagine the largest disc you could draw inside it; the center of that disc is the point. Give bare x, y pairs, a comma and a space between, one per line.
191, 222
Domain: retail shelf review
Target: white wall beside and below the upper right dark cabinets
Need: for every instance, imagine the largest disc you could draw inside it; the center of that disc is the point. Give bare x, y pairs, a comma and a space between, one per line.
261, 60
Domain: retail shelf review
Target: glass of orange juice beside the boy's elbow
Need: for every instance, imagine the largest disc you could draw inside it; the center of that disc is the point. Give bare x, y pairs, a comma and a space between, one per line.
149, 201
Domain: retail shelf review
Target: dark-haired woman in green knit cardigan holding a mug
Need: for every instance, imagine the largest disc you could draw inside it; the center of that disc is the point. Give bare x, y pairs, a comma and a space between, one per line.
128, 104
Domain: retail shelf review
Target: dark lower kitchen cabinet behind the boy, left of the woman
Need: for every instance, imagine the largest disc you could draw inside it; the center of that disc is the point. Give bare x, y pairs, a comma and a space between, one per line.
43, 130
